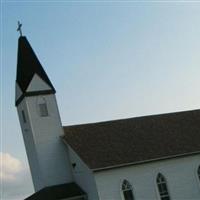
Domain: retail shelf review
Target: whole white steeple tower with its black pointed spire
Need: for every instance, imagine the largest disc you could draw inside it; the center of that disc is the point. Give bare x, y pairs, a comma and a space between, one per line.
40, 121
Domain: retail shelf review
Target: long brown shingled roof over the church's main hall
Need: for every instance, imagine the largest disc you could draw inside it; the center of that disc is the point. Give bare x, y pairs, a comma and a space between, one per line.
135, 140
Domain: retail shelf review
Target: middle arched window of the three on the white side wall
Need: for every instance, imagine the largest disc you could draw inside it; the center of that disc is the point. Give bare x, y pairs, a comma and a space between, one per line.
162, 187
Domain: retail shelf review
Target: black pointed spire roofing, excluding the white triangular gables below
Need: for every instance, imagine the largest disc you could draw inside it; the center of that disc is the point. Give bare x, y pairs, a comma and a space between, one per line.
28, 65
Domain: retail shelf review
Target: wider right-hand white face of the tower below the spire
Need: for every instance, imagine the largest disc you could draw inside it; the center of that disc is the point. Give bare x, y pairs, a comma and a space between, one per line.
52, 155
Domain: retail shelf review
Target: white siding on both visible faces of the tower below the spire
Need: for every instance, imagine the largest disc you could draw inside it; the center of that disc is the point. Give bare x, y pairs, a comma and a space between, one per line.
48, 156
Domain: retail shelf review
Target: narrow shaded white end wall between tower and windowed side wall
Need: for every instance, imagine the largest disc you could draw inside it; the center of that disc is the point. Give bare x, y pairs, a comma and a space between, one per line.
83, 176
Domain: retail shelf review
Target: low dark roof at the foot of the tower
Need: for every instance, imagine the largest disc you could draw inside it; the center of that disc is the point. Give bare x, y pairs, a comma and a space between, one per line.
63, 191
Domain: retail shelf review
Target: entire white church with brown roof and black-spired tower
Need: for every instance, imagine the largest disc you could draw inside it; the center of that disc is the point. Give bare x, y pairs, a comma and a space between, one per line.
154, 157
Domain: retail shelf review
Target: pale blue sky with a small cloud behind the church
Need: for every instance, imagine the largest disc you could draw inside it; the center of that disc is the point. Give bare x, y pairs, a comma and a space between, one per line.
107, 60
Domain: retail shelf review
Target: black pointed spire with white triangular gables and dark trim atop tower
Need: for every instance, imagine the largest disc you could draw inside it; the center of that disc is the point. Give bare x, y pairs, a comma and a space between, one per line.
28, 69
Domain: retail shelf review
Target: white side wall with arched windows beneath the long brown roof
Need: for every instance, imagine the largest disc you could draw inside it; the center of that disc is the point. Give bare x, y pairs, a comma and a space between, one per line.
180, 173
